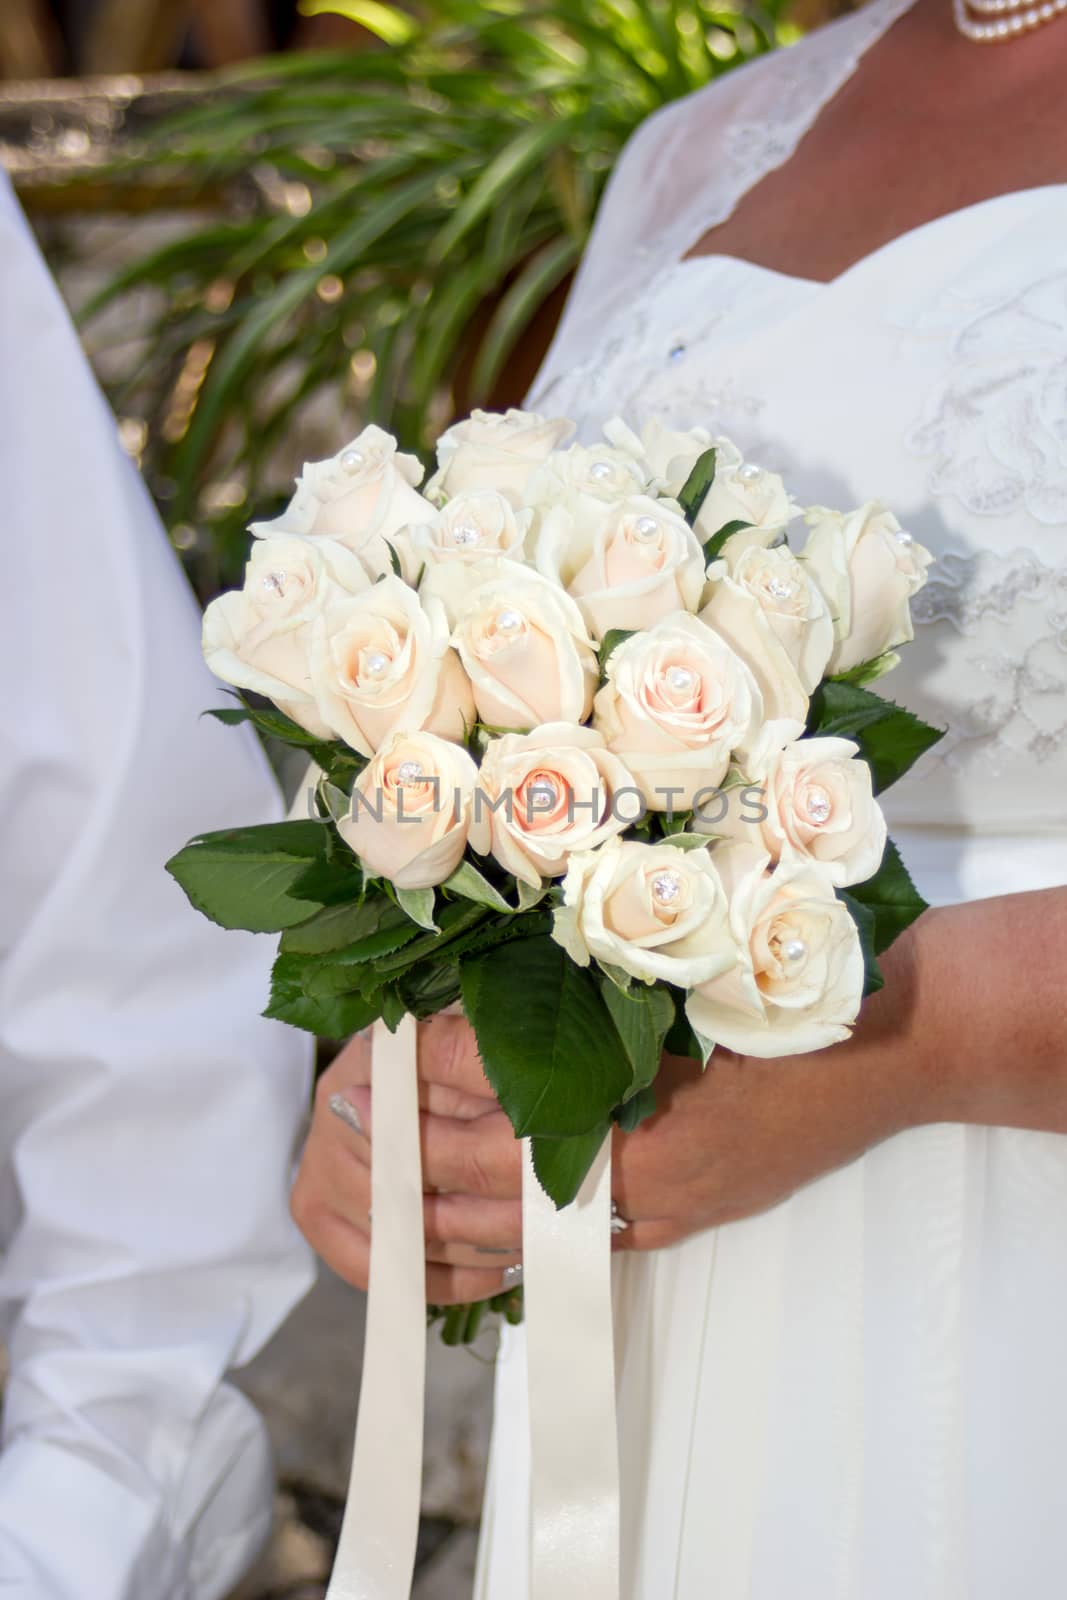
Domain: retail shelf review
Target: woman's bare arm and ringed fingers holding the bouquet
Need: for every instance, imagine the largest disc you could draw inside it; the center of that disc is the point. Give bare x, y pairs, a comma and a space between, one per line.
972, 1026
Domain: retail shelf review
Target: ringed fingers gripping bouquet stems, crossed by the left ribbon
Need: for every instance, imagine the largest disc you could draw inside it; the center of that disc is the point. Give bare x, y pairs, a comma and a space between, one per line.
471, 1162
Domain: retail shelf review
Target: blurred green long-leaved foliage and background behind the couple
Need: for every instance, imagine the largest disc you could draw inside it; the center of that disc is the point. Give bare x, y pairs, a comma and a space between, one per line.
382, 230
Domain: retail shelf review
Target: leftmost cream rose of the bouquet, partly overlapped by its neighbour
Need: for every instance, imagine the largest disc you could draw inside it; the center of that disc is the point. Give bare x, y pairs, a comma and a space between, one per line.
258, 638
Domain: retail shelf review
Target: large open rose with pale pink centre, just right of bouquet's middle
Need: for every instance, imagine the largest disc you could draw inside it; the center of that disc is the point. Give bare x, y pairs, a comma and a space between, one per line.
676, 706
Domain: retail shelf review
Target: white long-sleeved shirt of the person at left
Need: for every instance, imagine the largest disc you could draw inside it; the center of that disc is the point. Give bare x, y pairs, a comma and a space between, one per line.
146, 1113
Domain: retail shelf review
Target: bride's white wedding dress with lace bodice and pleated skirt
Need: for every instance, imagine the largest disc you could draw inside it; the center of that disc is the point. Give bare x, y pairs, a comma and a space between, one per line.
863, 1393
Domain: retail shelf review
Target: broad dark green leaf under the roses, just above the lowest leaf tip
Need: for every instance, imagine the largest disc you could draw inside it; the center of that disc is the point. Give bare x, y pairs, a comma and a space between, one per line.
546, 1038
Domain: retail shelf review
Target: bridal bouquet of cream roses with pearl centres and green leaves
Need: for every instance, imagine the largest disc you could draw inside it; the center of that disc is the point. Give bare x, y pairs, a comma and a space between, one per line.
596, 758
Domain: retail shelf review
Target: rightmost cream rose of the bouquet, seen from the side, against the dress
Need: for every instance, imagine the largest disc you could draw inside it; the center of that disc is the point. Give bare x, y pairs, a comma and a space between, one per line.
868, 569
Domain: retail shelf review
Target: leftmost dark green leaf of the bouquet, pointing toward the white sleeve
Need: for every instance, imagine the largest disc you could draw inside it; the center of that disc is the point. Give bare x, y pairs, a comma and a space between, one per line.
250, 878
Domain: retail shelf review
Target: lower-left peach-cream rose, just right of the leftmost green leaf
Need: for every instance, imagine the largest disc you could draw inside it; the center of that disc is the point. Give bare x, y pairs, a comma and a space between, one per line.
412, 810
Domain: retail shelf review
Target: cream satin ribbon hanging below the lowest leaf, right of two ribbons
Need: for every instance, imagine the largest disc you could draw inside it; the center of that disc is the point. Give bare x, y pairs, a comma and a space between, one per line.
570, 1351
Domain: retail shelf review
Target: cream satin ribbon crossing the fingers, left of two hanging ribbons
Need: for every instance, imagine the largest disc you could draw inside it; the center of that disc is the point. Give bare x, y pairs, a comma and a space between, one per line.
382, 1519
